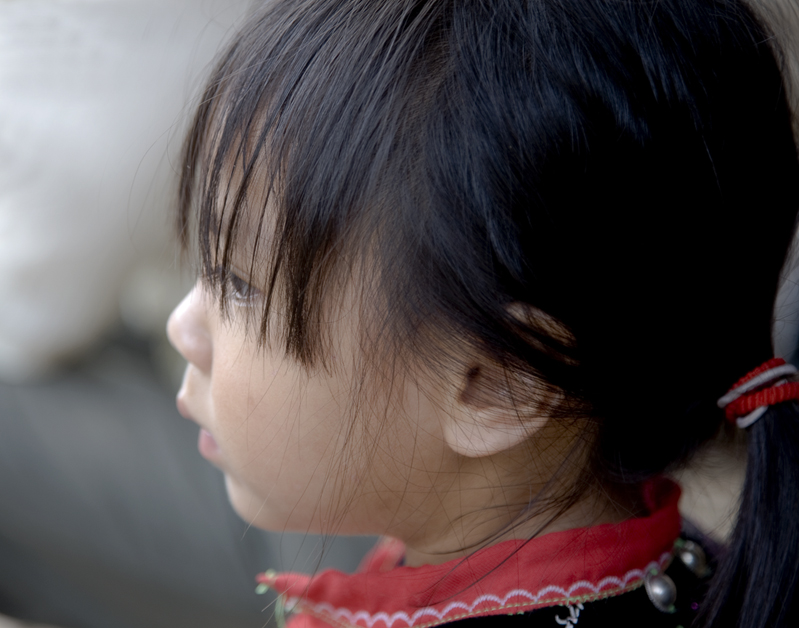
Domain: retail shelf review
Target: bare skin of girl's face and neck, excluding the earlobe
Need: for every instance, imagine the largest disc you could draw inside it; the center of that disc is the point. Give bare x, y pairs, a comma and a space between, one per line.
299, 456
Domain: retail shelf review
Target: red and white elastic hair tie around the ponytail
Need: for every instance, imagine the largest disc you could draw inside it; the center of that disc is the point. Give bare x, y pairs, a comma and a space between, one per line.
752, 395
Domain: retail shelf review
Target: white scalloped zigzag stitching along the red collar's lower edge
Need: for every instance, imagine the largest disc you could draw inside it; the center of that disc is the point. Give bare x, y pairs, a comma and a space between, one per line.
345, 617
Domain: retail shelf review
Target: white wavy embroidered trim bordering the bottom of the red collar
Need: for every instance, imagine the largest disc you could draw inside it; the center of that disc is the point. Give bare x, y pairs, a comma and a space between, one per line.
523, 597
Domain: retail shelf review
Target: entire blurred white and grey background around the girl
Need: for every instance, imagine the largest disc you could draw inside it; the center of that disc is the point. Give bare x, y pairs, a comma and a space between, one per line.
108, 515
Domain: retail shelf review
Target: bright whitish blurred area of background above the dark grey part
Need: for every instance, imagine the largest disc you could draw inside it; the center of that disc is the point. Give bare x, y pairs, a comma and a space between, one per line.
93, 104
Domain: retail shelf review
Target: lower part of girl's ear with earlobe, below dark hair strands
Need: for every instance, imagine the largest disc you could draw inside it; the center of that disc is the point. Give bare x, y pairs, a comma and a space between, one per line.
491, 412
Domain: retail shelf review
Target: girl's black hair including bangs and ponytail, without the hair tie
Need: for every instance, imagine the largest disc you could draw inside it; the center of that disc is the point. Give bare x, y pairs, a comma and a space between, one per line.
625, 169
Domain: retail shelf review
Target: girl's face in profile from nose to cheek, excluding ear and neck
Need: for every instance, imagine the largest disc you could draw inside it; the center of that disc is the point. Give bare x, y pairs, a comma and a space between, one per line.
292, 456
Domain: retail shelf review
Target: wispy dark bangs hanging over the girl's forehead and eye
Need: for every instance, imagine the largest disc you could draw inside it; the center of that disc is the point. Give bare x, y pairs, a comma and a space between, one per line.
300, 131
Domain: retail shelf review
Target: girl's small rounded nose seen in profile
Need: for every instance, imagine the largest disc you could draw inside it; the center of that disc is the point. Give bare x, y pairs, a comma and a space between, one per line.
187, 330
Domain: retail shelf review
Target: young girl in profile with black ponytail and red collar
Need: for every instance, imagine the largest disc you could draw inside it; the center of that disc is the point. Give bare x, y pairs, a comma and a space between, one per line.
473, 276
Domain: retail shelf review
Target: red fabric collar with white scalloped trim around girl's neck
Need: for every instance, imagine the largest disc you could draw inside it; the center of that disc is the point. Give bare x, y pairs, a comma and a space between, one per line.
560, 568
